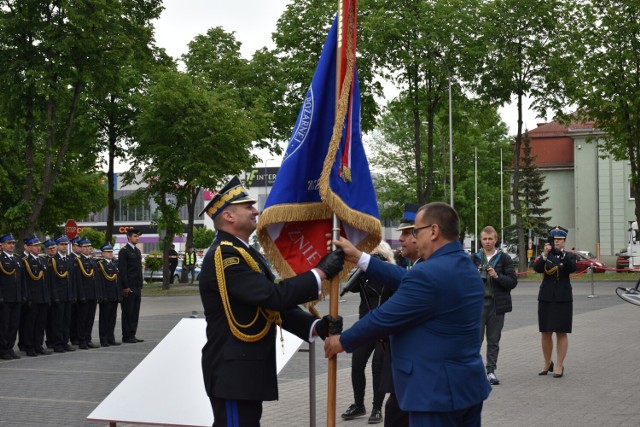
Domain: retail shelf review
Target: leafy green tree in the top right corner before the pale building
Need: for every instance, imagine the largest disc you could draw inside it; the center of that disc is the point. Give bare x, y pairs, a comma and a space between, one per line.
604, 56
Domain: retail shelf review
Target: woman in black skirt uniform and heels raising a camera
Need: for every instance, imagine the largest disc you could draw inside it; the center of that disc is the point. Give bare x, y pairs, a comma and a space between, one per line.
555, 299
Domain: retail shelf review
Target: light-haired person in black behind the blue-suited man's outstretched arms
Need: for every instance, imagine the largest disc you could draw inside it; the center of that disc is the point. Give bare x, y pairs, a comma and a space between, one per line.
372, 293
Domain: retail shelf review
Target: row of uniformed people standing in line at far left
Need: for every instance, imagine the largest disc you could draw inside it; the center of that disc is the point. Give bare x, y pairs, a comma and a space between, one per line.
48, 304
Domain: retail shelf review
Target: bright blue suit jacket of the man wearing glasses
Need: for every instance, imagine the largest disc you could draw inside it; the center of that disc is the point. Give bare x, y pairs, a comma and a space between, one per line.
433, 321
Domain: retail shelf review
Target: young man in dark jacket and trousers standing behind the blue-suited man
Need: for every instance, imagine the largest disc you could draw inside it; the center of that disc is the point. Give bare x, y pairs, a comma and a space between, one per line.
499, 278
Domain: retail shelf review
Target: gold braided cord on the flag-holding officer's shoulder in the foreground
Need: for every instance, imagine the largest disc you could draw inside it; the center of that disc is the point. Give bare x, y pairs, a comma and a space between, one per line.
270, 316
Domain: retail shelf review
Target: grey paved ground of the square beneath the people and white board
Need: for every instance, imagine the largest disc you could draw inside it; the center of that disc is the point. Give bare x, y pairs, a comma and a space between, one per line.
600, 386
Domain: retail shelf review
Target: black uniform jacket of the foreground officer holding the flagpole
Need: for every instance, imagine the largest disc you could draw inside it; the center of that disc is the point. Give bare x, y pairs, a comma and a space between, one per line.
232, 368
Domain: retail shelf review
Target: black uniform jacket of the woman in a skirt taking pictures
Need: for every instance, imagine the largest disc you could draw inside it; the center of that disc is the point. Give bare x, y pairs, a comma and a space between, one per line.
556, 284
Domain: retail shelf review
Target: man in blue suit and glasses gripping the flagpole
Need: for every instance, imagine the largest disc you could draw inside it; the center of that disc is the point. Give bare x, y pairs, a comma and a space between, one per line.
433, 321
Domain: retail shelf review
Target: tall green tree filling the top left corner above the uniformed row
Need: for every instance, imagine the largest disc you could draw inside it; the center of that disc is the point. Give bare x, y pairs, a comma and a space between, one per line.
54, 55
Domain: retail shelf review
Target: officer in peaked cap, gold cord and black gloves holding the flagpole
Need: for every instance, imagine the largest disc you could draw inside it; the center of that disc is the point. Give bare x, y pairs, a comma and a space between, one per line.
236, 287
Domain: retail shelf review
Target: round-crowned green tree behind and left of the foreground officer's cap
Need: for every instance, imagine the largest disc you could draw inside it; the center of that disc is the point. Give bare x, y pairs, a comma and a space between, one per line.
188, 138
